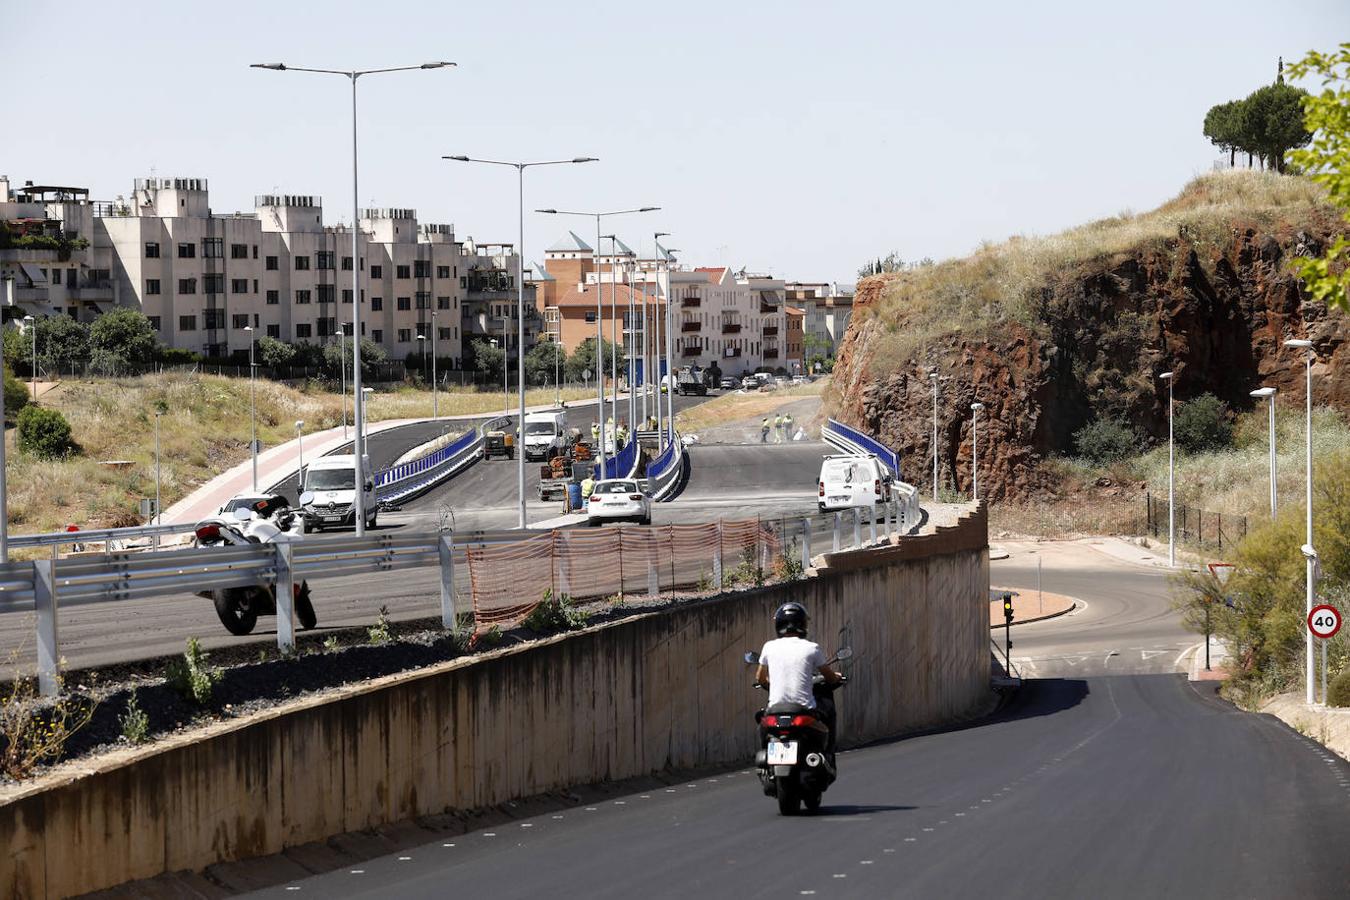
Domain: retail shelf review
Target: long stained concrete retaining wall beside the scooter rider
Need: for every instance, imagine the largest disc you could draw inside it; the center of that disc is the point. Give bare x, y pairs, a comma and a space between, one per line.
661, 692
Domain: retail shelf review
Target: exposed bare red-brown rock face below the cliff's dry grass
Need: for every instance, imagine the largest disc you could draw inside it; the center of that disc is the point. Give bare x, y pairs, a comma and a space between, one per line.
1218, 316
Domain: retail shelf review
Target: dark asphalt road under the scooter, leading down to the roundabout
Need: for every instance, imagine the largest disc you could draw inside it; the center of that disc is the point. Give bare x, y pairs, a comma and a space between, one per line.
1109, 782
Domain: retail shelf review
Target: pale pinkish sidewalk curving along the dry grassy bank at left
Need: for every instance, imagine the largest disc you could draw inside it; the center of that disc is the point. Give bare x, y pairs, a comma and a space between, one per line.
279, 463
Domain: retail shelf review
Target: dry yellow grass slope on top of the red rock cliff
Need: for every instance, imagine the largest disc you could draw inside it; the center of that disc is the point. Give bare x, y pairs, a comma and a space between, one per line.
1002, 283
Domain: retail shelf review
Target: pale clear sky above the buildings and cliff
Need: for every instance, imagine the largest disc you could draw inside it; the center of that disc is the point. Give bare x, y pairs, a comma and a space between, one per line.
800, 140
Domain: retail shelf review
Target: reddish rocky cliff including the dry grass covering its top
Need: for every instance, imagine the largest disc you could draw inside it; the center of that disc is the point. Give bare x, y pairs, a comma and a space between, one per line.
1087, 338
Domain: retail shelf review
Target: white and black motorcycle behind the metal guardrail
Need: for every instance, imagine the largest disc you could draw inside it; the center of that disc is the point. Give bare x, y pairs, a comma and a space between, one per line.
268, 522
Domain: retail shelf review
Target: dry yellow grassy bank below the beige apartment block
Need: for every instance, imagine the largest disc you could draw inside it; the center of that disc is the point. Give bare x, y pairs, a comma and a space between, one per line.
205, 431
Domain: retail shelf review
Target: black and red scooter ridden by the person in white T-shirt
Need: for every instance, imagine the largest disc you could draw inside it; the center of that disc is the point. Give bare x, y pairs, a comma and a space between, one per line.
797, 763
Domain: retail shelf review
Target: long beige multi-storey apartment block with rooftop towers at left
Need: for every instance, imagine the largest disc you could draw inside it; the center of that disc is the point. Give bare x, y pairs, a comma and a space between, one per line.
210, 283
